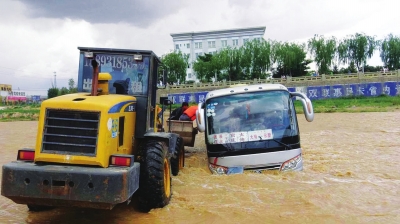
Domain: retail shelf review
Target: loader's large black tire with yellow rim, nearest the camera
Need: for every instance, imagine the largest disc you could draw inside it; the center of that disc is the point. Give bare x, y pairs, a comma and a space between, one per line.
155, 176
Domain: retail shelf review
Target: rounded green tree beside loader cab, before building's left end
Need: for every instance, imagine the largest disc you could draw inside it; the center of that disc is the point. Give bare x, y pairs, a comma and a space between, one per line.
176, 64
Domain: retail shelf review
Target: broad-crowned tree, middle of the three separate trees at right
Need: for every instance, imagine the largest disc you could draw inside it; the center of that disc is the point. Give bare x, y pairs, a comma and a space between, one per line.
357, 49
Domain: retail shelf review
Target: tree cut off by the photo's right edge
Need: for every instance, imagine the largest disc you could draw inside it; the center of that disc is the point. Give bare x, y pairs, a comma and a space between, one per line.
390, 52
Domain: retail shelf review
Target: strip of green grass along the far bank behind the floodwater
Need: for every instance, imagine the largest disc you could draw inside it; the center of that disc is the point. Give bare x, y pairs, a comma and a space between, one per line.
346, 104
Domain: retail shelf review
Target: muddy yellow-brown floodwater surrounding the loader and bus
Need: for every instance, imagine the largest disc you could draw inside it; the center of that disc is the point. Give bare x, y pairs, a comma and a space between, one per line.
351, 175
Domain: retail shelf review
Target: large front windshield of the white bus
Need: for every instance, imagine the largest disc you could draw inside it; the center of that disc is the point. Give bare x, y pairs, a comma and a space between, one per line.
253, 116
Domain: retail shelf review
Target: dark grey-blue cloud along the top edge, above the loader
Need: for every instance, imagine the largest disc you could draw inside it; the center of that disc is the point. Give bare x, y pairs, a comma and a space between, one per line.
136, 12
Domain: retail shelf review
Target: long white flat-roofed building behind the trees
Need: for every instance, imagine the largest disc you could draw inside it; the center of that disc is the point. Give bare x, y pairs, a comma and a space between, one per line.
198, 43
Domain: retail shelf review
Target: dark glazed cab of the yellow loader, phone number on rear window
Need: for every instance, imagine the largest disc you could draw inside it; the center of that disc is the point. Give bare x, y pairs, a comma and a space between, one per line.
133, 72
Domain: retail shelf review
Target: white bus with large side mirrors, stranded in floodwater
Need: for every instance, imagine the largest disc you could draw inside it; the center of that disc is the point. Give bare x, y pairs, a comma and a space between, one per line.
252, 127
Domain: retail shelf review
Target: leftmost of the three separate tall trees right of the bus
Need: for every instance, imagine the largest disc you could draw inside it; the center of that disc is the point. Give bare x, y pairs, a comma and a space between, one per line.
323, 51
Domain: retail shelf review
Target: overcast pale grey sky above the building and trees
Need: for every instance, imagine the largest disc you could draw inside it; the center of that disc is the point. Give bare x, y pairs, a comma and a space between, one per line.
40, 37
